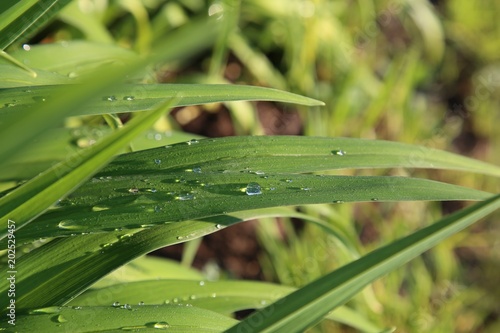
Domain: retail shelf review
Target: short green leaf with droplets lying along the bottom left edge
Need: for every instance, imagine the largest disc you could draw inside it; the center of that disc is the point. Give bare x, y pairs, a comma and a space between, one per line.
144, 318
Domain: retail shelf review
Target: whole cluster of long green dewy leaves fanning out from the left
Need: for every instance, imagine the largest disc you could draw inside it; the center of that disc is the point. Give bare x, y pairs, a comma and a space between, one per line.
85, 214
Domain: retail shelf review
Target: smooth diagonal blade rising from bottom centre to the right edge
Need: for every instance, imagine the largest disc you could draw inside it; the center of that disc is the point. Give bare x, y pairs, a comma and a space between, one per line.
308, 305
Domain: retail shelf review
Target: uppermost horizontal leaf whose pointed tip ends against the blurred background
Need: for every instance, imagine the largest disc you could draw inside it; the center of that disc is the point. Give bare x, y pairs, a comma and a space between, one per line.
143, 97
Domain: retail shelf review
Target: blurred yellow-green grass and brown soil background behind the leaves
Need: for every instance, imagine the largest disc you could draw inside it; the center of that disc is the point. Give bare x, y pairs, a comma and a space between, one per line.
421, 72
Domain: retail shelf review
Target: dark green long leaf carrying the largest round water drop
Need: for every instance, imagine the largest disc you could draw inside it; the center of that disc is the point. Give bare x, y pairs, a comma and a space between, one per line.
131, 202
